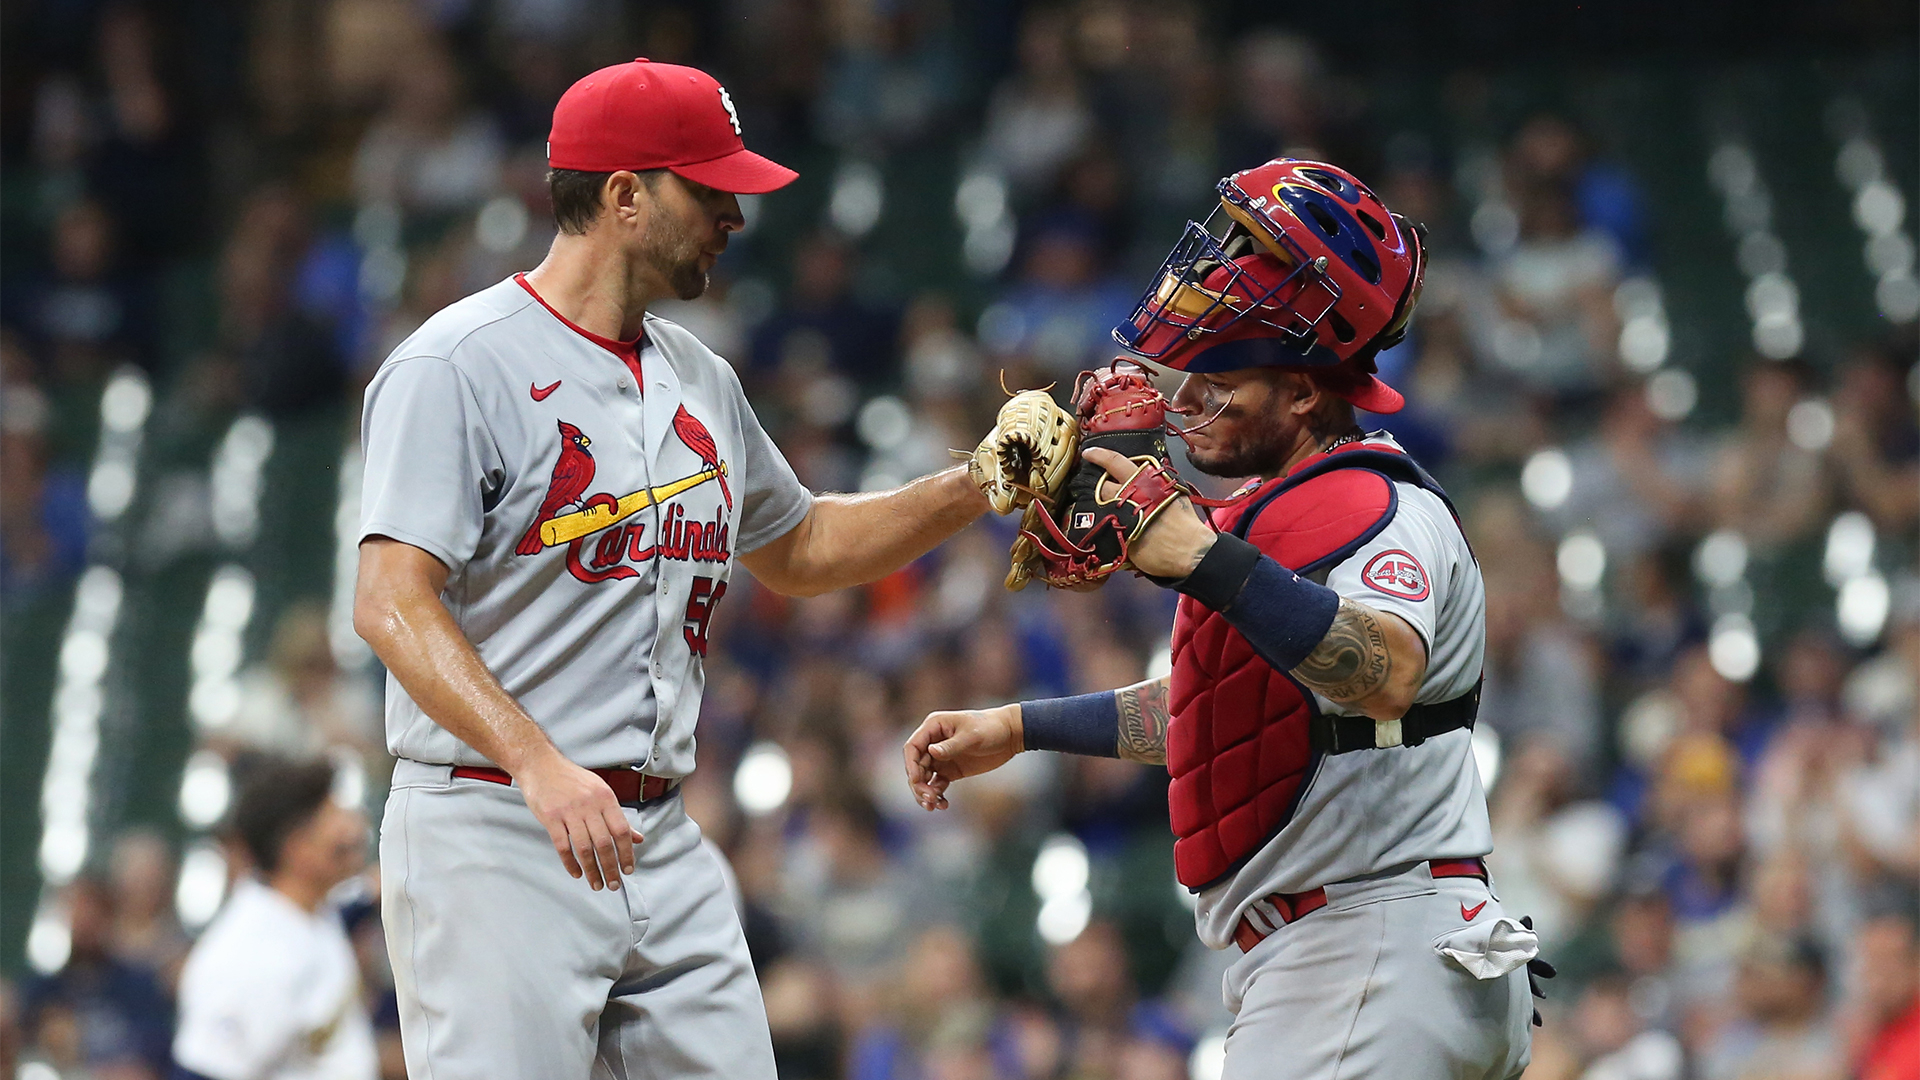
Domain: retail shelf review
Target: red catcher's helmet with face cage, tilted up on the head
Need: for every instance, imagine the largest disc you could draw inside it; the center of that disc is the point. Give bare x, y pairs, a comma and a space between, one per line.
1301, 266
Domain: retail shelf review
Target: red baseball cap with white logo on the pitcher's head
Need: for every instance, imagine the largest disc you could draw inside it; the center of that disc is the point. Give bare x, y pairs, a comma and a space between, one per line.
658, 116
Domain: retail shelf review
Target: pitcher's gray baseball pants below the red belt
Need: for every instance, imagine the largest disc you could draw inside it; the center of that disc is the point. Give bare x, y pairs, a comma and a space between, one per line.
510, 968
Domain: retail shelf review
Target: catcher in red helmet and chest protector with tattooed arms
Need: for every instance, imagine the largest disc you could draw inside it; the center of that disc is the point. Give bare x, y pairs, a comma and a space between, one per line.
1328, 649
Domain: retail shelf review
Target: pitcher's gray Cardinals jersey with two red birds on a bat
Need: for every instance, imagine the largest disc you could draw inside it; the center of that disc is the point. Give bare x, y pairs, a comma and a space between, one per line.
588, 522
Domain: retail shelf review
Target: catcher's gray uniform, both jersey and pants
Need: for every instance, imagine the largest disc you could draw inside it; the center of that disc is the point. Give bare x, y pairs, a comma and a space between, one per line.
1401, 973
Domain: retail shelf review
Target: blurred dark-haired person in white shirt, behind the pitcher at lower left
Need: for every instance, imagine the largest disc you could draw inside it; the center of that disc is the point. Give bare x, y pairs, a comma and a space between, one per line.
274, 989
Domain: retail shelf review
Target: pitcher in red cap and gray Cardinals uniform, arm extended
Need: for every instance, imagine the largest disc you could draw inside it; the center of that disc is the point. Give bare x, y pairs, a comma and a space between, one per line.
558, 493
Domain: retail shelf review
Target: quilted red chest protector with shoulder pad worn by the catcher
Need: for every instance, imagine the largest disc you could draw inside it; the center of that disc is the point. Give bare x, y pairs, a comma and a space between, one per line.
1237, 743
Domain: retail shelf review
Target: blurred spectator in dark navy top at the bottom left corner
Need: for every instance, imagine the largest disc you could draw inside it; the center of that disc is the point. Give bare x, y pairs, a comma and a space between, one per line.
99, 1012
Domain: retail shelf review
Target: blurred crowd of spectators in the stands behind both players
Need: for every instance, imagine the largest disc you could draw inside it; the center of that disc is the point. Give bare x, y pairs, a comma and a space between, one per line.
1704, 768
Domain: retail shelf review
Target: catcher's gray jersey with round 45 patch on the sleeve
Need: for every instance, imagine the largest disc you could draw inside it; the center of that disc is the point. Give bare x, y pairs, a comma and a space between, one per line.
1374, 810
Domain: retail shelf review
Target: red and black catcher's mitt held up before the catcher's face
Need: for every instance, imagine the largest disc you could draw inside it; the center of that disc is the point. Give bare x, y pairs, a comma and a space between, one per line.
1084, 535
